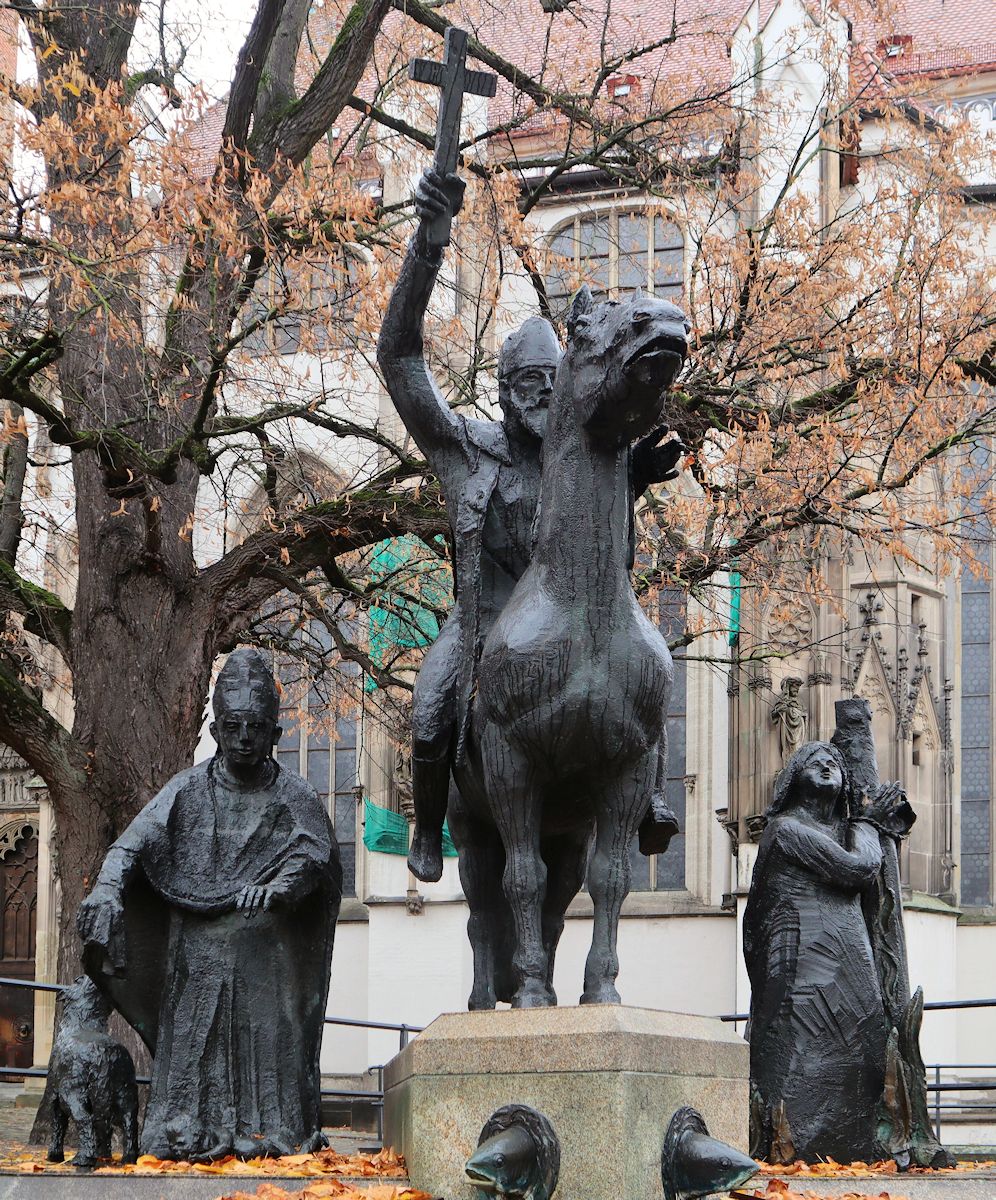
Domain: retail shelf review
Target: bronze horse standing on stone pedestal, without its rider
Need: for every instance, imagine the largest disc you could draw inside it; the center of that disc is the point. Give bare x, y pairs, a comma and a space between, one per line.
574, 681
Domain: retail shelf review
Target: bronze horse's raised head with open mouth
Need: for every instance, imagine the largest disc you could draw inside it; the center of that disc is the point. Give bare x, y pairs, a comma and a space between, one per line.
623, 357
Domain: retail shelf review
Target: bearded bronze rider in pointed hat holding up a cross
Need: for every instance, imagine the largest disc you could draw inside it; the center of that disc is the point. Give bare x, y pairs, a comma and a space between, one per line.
490, 473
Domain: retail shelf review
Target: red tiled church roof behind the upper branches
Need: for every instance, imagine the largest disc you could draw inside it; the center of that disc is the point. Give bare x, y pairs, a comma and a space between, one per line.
938, 38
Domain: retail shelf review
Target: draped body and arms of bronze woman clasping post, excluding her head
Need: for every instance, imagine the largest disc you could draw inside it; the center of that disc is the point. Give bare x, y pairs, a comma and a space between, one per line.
818, 1028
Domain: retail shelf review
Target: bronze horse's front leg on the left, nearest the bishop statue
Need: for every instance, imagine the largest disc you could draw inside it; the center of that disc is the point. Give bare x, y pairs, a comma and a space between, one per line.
515, 802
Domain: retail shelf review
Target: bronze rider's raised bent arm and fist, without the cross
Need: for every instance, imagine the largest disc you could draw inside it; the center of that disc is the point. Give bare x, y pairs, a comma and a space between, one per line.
400, 350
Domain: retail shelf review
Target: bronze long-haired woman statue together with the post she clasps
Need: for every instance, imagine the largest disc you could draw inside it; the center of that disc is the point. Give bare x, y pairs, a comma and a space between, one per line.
835, 1063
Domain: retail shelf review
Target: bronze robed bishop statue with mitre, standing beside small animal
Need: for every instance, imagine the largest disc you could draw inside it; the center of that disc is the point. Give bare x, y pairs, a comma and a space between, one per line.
211, 927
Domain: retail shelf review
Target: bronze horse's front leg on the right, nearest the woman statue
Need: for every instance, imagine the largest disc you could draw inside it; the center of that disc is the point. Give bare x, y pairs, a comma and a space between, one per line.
620, 808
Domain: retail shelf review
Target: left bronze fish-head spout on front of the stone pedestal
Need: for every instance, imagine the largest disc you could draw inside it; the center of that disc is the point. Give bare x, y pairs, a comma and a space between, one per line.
518, 1156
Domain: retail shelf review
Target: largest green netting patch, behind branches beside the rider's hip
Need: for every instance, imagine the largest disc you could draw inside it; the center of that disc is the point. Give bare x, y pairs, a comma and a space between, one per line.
405, 573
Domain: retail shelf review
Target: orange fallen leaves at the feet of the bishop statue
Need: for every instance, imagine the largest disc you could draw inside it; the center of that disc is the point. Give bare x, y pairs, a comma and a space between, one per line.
386, 1165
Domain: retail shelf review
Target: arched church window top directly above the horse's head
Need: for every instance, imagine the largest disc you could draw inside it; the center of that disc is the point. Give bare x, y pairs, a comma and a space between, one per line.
616, 254
